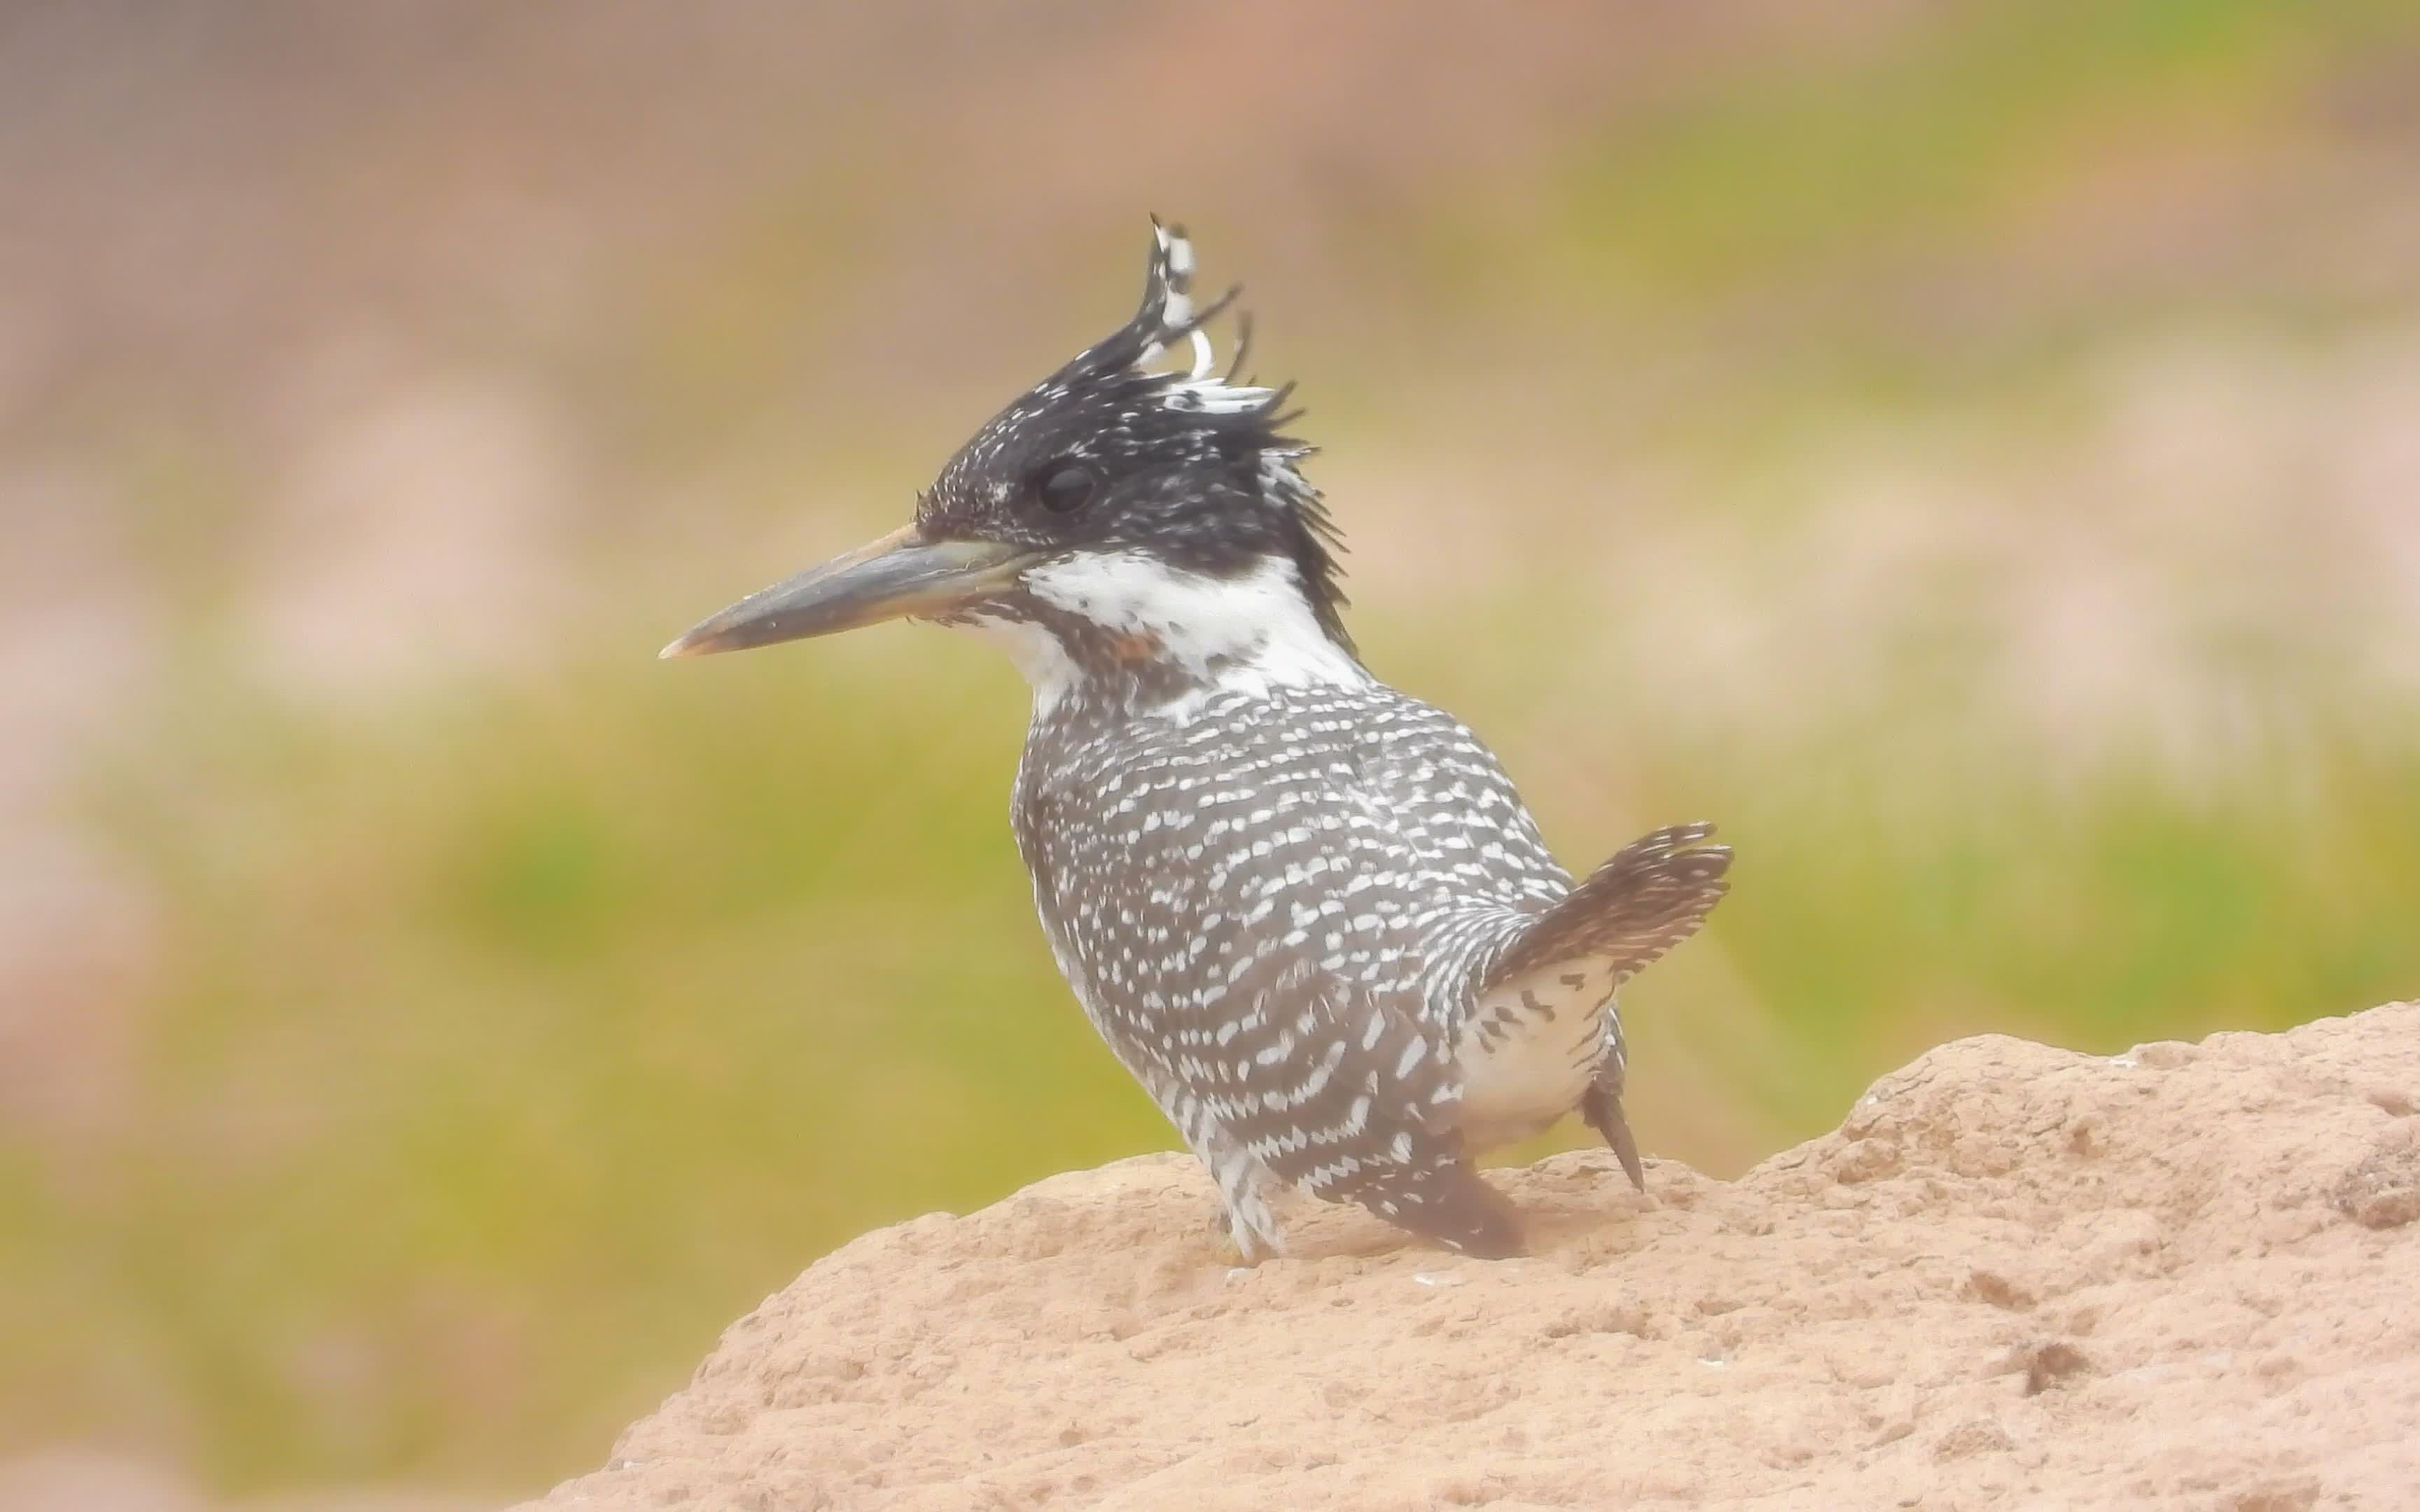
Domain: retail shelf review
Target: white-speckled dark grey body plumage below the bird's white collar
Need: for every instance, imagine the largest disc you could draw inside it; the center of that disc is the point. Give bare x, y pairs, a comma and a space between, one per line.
1281, 916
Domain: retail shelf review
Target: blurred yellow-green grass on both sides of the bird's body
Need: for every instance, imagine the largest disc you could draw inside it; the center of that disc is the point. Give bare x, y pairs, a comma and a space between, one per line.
507, 1054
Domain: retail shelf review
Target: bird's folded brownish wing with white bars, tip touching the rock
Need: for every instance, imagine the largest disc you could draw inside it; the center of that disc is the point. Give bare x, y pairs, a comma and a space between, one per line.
1354, 1102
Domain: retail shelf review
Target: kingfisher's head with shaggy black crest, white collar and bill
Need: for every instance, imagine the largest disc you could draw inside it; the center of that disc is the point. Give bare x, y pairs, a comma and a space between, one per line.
1122, 524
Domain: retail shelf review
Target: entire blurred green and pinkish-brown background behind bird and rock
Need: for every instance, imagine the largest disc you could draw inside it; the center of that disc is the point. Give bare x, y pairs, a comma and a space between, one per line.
1969, 451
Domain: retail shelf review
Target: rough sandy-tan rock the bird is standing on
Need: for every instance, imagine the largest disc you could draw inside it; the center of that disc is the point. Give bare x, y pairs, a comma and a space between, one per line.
2017, 1276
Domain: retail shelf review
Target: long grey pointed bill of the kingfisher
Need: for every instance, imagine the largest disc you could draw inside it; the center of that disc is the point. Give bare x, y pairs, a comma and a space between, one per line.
899, 575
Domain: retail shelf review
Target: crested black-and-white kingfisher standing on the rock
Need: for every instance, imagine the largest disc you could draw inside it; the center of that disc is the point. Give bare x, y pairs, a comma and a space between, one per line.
1306, 911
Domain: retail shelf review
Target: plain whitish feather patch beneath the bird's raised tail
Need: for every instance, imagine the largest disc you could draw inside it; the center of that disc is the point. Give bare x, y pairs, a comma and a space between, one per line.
1531, 1051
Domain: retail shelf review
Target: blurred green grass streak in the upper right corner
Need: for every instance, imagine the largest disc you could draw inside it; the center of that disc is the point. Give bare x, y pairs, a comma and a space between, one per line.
1952, 129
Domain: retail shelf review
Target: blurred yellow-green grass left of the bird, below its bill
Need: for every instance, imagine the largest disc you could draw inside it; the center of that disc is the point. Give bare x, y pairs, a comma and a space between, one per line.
546, 1005
